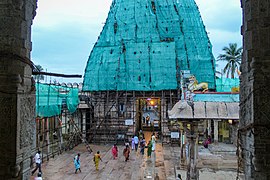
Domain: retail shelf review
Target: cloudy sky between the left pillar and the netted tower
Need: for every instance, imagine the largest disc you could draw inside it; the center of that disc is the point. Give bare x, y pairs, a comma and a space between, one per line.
64, 32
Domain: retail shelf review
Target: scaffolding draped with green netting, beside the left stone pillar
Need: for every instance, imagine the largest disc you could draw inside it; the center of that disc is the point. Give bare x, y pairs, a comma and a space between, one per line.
59, 121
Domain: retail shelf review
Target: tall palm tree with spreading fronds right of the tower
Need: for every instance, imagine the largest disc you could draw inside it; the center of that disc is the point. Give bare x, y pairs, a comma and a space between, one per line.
232, 55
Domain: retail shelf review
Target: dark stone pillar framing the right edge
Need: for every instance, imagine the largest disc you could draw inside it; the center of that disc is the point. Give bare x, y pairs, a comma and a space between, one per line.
254, 127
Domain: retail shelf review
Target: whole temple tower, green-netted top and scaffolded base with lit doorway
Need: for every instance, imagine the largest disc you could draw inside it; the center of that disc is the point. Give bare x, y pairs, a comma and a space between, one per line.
138, 59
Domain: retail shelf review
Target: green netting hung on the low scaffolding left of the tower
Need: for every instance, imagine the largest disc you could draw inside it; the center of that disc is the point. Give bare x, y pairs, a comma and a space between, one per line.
51, 98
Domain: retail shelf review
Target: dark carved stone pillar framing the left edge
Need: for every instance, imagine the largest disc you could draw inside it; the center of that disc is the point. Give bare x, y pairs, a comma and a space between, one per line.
17, 92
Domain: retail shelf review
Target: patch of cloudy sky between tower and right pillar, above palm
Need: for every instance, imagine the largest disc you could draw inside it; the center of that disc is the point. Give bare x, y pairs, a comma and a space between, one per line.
223, 19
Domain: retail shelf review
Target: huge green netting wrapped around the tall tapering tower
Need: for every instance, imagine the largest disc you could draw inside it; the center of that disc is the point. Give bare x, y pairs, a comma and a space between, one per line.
146, 43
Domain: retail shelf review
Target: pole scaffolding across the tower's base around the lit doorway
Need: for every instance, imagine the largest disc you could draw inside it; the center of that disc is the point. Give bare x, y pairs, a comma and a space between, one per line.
115, 116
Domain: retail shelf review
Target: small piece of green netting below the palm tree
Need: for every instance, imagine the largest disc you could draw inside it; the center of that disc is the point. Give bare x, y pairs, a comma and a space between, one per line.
226, 84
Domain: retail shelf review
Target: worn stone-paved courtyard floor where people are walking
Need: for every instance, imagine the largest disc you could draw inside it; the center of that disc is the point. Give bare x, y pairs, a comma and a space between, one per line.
167, 164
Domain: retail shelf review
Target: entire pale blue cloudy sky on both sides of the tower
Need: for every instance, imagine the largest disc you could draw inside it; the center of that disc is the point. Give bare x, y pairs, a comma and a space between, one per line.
64, 31
